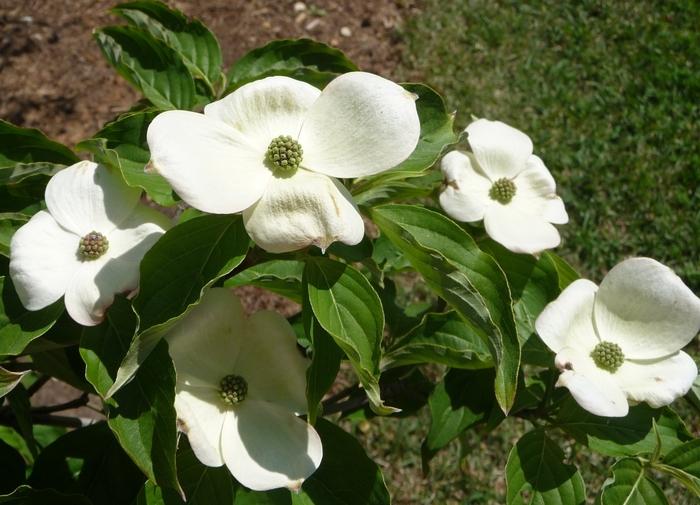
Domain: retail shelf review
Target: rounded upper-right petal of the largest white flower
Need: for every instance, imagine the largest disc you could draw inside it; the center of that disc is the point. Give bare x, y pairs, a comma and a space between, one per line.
361, 124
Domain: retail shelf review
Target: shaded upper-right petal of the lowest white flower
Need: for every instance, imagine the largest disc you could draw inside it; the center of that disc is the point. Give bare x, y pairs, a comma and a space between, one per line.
271, 342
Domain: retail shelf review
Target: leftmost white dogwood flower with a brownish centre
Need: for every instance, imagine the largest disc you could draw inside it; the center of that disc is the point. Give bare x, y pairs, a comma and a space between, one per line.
87, 246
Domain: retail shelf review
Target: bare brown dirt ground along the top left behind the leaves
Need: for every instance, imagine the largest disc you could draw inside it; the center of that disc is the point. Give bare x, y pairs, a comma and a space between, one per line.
53, 76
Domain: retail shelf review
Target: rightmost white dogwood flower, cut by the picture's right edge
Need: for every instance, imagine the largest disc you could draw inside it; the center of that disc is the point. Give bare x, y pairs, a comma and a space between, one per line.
621, 342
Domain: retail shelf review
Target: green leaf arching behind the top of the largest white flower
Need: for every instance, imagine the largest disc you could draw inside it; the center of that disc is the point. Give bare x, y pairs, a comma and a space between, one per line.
302, 59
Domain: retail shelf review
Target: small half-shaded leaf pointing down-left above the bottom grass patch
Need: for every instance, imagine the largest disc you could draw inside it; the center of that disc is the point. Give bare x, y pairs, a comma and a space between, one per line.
461, 400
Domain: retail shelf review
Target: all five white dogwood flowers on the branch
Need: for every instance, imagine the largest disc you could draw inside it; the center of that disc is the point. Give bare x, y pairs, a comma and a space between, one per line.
274, 150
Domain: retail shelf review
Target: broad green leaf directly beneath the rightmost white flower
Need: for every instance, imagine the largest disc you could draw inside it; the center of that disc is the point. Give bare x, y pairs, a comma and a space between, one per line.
623, 436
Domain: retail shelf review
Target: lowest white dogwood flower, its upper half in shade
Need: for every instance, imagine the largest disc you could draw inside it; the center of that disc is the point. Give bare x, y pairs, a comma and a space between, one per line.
240, 382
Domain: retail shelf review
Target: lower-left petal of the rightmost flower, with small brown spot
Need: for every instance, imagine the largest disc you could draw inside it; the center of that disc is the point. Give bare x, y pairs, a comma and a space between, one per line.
593, 389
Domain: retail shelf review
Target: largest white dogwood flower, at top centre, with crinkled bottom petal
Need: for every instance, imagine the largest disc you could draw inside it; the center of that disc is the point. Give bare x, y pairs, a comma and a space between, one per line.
273, 148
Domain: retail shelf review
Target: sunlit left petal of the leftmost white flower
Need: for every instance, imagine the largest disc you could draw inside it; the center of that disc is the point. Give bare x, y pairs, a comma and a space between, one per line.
43, 260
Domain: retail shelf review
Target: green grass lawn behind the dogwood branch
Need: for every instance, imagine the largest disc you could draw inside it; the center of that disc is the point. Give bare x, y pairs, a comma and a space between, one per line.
610, 94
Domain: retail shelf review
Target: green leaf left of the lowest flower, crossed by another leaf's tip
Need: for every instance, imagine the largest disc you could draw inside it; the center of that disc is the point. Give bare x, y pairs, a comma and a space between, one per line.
141, 414
